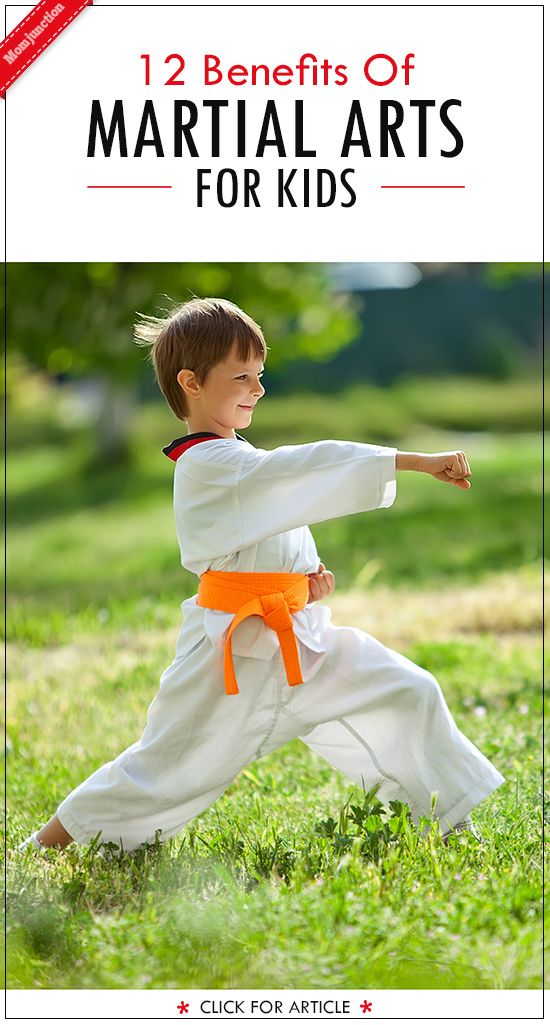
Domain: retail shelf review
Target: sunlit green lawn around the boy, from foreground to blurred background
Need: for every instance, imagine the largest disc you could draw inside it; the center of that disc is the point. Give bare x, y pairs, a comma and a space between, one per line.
280, 884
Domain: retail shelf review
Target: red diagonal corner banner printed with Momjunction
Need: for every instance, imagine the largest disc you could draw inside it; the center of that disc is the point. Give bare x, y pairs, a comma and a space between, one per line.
30, 38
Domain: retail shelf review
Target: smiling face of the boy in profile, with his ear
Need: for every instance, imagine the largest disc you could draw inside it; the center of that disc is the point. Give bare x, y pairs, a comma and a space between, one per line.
226, 401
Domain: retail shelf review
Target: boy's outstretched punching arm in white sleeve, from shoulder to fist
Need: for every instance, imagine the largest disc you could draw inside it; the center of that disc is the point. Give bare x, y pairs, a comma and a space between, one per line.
228, 500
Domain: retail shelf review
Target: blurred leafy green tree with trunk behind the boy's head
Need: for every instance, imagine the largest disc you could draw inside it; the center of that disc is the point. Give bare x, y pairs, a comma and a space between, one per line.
76, 320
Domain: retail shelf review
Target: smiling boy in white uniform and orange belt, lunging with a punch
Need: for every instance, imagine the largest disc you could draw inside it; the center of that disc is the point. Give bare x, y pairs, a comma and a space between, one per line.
258, 663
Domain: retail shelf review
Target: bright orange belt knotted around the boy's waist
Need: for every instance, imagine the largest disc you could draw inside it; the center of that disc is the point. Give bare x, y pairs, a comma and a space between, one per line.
273, 596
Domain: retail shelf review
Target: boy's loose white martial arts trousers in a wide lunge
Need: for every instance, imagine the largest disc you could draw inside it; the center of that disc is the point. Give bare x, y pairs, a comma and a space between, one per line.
367, 711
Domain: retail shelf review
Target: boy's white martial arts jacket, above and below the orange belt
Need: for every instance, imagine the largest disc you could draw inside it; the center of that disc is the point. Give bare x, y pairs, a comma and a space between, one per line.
244, 510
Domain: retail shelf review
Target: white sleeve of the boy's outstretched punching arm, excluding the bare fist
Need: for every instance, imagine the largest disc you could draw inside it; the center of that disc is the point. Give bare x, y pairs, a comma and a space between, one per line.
298, 485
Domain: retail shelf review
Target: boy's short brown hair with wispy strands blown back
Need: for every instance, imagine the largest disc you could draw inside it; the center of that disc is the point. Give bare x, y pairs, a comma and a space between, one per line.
197, 336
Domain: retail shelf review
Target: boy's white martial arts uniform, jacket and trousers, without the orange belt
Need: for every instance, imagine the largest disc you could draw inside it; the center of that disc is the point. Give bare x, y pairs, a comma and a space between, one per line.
366, 710
